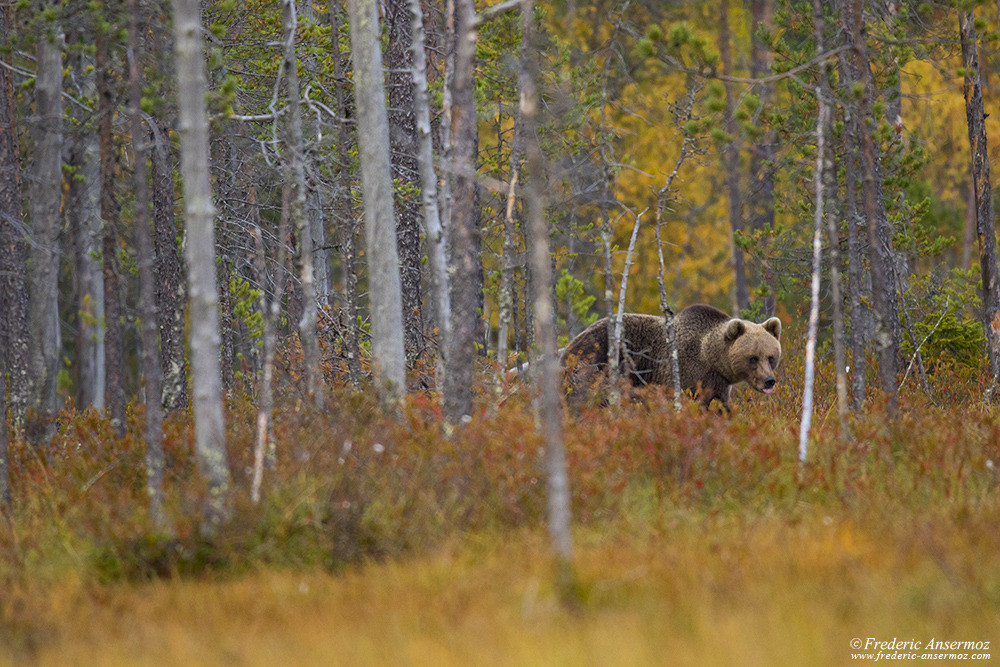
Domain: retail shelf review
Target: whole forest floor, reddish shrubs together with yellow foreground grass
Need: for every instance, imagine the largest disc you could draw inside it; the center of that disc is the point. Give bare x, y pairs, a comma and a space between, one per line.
700, 540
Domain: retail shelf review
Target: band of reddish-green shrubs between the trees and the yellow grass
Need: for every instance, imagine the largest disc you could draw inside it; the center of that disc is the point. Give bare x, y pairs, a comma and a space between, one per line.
353, 485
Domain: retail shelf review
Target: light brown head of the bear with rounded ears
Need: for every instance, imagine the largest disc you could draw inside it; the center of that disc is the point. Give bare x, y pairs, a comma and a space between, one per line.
754, 352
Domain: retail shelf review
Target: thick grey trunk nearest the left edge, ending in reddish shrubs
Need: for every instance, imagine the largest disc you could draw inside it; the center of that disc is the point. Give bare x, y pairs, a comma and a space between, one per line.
46, 191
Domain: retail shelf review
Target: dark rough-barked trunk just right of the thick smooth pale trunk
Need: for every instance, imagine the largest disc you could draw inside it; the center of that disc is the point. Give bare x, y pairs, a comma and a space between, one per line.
403, 150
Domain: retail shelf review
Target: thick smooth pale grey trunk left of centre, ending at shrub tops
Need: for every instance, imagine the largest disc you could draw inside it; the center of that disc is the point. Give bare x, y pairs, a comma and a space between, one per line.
388, 355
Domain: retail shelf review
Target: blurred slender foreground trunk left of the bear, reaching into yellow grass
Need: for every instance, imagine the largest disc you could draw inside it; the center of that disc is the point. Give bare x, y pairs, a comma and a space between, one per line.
548, 392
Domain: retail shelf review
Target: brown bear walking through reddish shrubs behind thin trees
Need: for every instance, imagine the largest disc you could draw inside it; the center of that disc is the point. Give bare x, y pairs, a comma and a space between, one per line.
714, 352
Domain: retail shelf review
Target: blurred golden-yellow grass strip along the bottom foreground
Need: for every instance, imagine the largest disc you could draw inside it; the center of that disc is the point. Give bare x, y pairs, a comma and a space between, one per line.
685, 589
